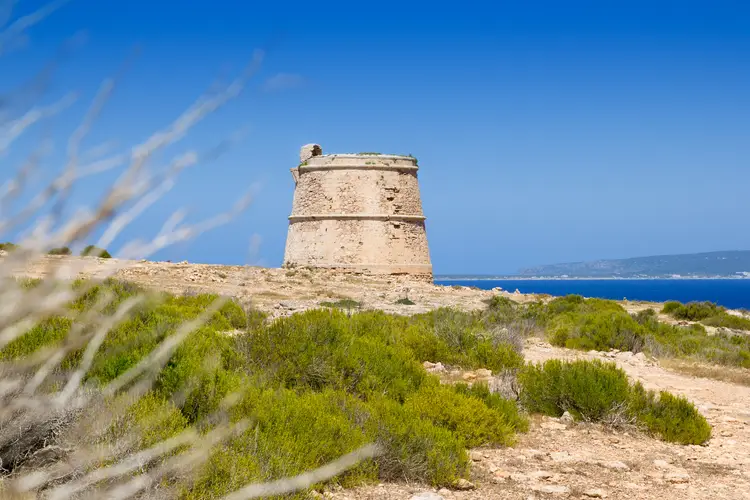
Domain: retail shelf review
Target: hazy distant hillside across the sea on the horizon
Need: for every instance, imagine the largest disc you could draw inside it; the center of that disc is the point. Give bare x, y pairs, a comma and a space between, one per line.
711, 264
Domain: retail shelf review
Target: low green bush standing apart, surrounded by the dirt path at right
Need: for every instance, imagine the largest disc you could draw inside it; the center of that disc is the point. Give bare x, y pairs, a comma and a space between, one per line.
600, 392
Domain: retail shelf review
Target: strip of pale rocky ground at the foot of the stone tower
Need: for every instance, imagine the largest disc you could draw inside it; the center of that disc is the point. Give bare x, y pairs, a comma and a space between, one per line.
283, 291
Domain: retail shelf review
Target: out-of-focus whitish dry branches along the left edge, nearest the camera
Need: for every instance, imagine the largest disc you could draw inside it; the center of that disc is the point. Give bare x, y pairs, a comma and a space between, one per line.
50, 417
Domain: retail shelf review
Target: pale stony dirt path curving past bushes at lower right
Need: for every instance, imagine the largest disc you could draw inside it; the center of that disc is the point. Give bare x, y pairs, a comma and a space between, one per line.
562, 460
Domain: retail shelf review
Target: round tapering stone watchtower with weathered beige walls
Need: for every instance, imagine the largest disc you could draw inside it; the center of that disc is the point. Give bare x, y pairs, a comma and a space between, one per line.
357, 212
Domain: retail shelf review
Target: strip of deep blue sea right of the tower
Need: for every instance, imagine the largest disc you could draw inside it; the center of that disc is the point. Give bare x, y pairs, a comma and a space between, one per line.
730, 293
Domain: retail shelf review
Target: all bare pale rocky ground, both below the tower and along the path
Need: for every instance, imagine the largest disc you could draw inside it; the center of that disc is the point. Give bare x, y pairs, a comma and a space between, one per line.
556, 458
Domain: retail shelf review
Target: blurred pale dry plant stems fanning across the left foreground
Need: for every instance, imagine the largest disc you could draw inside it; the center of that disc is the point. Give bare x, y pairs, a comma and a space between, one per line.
21, 309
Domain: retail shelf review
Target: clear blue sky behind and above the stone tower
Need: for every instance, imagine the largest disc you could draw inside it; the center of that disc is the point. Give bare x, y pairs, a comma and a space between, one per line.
545, 131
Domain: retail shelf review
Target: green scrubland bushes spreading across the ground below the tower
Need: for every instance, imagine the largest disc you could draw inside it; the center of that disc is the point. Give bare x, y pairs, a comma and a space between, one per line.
319, 384
